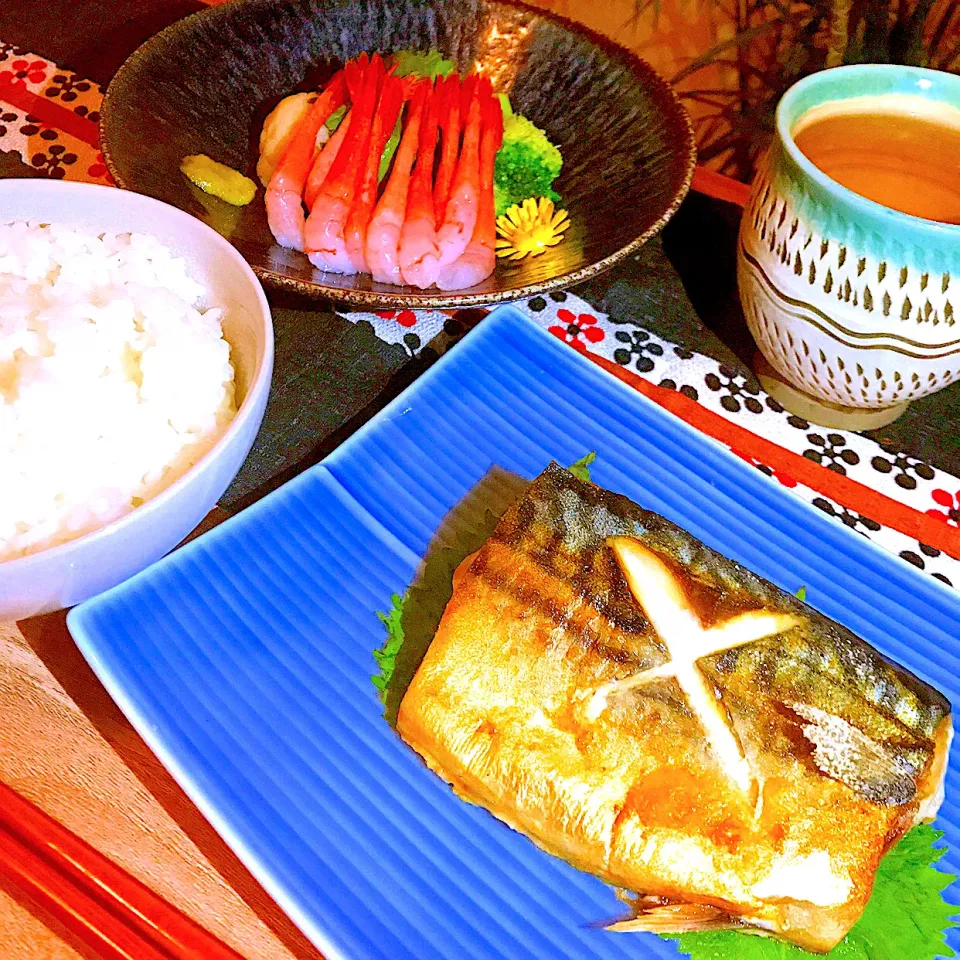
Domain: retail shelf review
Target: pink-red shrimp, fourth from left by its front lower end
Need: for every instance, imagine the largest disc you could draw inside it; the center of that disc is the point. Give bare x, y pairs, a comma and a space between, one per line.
383, 235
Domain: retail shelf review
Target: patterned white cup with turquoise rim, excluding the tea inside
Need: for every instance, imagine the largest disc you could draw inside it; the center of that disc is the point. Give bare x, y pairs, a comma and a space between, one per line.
853, 305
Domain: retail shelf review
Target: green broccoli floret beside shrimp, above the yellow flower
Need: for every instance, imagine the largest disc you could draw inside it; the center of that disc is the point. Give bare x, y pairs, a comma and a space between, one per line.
526, 165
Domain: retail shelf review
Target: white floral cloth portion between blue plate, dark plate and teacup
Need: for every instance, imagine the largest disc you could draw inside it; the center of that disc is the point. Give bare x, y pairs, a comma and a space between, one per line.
903, 504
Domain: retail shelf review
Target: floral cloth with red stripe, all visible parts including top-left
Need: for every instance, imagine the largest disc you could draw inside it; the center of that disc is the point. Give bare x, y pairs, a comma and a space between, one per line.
49, 116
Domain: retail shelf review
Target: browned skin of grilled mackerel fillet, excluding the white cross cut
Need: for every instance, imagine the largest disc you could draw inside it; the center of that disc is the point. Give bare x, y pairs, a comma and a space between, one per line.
846, 750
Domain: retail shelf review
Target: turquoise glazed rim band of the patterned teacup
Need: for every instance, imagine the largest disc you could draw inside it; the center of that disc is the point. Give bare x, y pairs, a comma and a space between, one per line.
840, 213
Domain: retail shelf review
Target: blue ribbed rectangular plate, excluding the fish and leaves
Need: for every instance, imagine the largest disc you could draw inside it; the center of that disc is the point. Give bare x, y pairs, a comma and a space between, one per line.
244, 659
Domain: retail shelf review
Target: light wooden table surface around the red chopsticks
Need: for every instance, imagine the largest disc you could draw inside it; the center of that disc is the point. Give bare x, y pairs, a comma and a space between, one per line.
65, 745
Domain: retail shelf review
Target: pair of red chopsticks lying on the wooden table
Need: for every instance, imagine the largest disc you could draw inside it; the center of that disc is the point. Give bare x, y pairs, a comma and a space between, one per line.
110, 911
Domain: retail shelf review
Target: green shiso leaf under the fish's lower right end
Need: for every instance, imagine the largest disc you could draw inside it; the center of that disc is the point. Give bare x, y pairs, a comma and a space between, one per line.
906, 917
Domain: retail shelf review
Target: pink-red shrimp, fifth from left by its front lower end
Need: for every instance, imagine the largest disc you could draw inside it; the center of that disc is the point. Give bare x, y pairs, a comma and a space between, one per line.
419, 254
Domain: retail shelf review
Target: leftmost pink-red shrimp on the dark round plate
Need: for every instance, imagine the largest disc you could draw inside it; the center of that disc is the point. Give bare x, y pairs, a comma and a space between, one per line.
285, 189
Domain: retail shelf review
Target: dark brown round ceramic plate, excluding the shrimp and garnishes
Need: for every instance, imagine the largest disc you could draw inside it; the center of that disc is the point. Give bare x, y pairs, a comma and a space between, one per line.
205, 84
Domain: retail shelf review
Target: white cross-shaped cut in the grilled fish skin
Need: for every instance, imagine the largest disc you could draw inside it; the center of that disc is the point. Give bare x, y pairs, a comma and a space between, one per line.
668, 609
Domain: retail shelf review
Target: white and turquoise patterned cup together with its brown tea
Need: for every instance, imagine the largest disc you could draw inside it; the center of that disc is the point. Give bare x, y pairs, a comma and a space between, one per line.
849, 248
